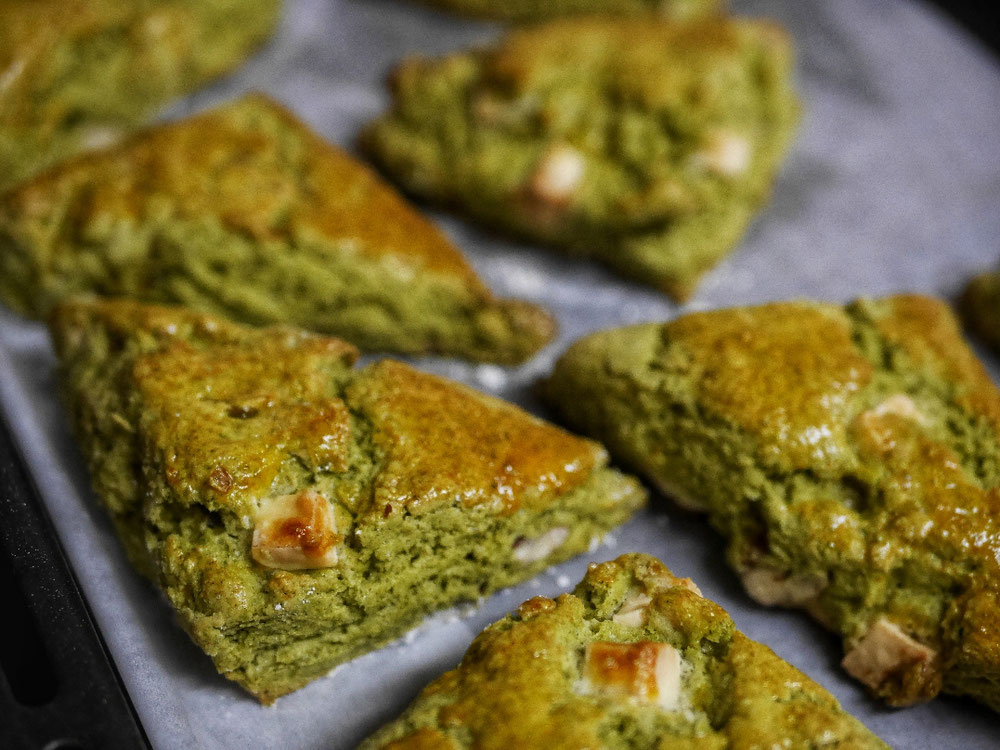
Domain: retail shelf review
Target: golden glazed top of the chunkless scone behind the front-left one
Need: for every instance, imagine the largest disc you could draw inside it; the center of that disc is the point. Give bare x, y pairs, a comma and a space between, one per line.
256, 169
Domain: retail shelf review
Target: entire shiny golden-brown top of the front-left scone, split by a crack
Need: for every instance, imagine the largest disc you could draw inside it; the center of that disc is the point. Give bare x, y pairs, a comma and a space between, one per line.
230, 410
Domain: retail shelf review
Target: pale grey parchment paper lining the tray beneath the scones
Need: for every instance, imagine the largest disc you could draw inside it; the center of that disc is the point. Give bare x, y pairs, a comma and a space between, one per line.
894, 184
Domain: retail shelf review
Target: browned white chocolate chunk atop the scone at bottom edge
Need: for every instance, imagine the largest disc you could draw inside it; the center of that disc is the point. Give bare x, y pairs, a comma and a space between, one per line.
646, 671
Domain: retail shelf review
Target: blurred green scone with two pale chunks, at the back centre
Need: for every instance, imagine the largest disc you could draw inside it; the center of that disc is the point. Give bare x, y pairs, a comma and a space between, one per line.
644, 143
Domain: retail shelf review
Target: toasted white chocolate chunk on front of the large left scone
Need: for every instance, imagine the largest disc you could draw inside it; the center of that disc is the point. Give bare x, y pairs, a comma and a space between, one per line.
295, 532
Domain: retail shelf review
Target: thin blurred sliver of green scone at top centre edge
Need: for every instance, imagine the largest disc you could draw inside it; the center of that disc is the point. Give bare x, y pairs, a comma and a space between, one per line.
520, 11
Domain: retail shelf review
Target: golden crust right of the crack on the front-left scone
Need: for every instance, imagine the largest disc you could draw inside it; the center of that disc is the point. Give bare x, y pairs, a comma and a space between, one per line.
436, 444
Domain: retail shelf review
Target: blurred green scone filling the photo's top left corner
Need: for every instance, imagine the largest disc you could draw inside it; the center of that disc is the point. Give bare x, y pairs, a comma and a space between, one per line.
77, 74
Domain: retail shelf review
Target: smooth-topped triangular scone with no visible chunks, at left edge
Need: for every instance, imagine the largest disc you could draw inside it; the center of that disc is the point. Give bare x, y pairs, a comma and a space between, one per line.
244, 212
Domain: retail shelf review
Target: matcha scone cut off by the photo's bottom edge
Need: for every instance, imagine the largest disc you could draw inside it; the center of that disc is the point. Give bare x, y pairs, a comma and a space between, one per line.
633, 658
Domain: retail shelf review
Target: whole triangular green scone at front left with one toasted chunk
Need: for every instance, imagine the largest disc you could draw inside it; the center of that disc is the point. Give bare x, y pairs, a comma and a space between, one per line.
297, 512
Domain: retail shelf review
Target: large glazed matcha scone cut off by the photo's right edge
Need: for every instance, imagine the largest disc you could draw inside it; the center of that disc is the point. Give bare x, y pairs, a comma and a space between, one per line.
850, 456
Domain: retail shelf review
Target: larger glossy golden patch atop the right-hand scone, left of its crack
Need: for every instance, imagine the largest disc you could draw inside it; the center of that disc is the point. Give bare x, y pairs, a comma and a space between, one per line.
797, 406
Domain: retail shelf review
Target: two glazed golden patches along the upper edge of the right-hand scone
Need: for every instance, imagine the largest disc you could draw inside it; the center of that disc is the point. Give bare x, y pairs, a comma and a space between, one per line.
799, 407
